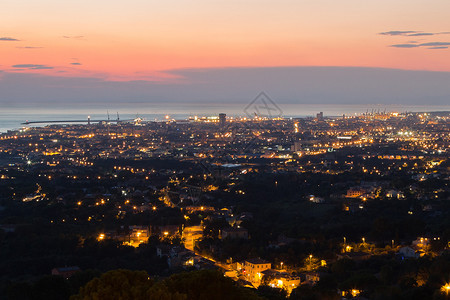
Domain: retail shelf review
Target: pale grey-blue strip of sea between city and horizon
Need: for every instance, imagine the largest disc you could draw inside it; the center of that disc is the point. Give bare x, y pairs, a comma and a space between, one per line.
12, 118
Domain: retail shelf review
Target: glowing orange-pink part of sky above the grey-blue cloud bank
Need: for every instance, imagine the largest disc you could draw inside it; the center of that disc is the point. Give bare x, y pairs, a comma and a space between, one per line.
155, 40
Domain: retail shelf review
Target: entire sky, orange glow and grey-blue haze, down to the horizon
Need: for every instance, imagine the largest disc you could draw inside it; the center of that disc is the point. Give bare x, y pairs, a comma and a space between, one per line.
144, 50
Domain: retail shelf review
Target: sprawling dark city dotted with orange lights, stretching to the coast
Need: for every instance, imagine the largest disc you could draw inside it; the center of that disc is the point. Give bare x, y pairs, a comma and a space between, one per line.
277, 202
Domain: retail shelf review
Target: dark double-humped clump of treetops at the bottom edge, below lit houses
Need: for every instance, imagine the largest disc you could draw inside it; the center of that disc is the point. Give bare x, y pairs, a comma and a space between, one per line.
137, 285
